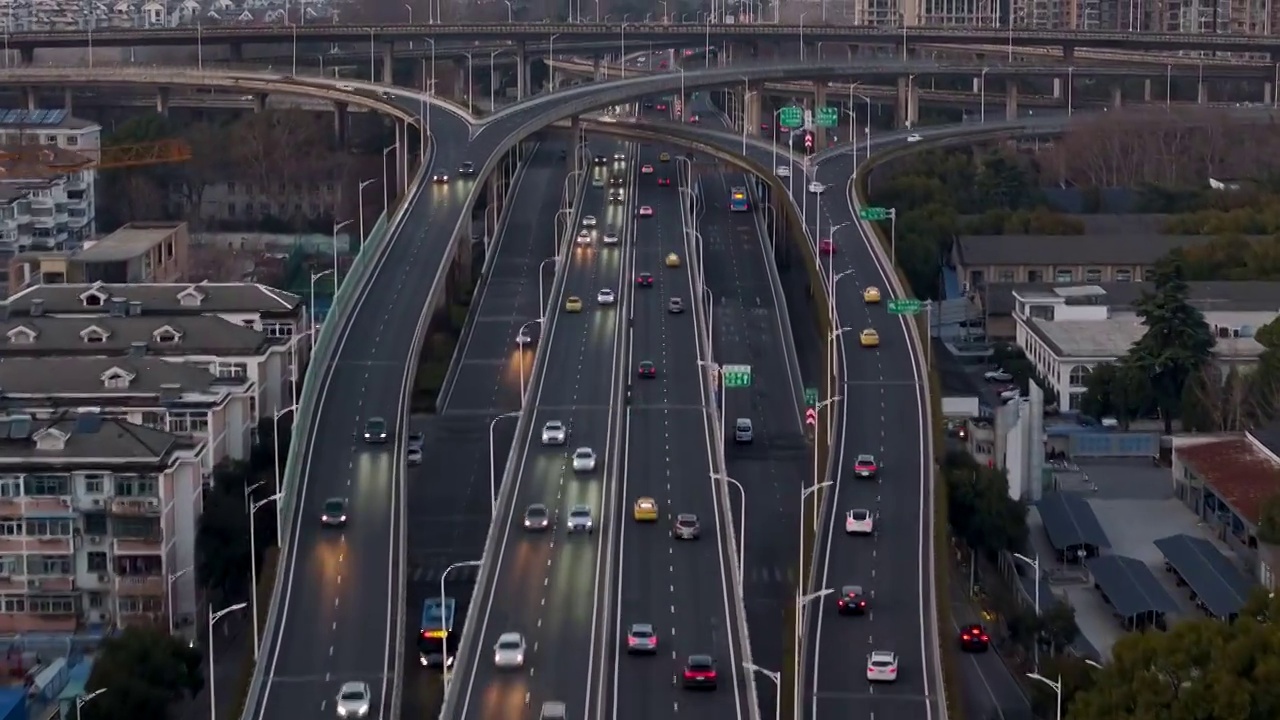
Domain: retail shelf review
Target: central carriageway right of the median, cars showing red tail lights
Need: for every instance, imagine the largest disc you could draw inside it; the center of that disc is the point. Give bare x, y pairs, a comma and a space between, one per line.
680, 587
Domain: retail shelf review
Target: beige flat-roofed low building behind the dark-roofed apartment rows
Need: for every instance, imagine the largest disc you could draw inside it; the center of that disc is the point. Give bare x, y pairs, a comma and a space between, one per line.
138, 253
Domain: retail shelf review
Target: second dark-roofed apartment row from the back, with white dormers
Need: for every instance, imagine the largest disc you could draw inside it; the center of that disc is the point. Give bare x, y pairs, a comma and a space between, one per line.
212, 344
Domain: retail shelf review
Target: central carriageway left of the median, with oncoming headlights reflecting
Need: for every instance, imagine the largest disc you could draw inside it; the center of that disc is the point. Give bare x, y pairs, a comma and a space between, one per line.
548, 584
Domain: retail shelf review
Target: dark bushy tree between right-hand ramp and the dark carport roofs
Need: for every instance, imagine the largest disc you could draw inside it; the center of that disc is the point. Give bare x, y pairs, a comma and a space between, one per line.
980, 509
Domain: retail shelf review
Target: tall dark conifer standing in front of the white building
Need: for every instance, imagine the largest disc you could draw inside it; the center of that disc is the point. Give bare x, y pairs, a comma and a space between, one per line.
1178, 343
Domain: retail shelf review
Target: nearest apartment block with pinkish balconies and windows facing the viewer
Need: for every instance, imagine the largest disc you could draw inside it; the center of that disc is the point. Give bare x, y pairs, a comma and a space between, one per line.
98, 523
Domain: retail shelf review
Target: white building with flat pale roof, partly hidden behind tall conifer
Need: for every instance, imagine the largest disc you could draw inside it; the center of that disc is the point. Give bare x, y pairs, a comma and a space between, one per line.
1068, 331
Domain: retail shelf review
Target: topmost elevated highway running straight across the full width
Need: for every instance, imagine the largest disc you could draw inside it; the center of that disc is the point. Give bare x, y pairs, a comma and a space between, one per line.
659, 33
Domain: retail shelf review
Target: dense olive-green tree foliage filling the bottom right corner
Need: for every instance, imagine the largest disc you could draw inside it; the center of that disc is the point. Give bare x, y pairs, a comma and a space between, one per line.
1199, 671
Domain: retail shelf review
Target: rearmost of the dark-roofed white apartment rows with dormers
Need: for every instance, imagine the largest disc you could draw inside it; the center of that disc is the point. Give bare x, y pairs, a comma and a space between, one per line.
280, 317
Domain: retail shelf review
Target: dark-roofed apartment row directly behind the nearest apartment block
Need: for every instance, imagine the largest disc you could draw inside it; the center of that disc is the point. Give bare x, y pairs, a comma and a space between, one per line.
185, 400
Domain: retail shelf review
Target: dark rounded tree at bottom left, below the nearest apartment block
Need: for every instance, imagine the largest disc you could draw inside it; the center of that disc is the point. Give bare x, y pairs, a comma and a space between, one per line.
143, 672
